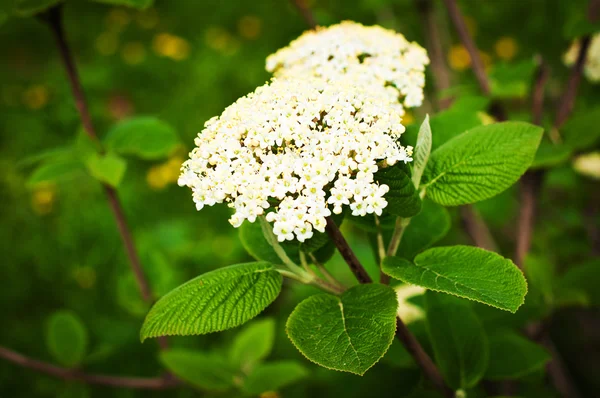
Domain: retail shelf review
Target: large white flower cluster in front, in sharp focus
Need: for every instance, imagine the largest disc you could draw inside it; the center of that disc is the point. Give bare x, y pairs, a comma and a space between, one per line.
296, 150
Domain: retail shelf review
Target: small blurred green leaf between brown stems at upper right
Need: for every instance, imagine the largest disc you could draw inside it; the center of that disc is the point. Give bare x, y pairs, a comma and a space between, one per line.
512, 80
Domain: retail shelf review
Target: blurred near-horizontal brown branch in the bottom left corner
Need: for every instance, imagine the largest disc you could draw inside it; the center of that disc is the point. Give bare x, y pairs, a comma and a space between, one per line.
157, 383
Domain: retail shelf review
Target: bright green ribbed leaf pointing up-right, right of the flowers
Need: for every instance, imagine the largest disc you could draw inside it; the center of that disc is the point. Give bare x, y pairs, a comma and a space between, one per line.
481, 163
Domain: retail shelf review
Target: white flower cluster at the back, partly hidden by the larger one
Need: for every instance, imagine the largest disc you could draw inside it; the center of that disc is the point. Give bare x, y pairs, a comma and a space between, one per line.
372, 54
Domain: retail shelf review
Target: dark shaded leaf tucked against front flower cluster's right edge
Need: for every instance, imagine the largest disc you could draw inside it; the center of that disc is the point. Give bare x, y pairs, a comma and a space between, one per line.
403, 199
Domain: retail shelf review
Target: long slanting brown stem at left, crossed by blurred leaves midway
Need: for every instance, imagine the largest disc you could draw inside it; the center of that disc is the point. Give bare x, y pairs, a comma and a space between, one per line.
54, 19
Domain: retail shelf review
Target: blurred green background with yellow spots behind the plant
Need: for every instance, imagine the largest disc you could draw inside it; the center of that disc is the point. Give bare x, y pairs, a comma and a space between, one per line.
184, 62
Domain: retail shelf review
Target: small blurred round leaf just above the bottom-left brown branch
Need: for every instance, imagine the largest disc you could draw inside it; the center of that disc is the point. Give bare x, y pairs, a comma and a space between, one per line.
67, 338
